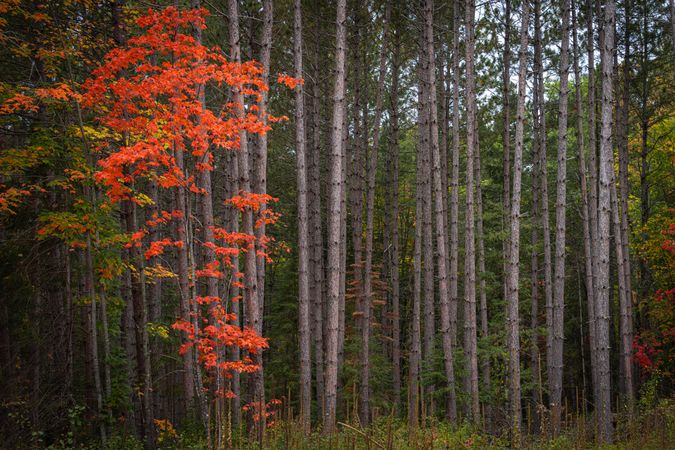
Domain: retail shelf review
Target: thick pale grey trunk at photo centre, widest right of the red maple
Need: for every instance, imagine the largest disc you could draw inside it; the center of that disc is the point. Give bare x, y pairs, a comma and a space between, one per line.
335, 216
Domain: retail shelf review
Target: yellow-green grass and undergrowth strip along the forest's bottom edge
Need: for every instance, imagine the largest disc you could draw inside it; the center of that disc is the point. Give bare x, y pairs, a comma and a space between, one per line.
652, 428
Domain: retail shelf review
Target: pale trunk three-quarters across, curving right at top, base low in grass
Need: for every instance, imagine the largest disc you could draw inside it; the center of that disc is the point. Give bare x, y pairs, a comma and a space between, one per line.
513, 317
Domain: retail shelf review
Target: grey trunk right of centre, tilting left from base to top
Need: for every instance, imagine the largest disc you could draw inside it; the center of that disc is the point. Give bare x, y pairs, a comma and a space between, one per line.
441, 230
